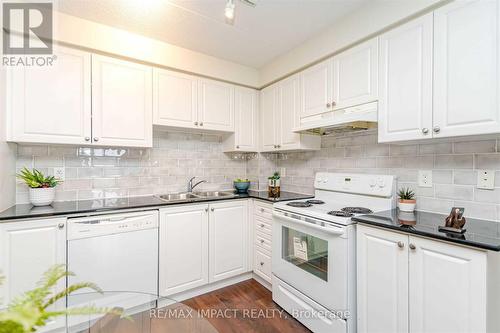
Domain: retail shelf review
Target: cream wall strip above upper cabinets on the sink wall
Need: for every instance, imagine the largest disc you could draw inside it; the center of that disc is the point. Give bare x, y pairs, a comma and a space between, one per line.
88, 34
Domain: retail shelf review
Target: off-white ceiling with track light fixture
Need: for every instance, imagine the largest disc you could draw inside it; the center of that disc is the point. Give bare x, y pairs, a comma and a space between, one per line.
257, 36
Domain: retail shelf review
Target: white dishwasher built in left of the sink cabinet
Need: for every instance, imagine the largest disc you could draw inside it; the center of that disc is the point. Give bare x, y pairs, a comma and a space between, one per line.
119, 253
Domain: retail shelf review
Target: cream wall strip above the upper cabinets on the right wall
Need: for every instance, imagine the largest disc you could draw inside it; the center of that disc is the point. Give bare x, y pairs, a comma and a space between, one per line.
361, 23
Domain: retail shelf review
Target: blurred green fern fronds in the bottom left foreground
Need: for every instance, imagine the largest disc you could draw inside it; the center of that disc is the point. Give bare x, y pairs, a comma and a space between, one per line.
31, 310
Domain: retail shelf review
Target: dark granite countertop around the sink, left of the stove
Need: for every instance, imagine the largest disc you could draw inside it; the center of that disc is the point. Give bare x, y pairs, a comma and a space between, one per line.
65, 208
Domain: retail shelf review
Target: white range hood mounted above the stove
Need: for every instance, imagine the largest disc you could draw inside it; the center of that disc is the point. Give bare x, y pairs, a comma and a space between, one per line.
356, 118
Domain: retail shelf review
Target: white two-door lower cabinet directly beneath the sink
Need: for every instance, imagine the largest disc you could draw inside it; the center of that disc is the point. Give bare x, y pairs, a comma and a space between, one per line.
201, 244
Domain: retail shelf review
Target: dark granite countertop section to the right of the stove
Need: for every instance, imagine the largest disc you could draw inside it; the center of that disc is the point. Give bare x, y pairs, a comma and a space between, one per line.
480, 233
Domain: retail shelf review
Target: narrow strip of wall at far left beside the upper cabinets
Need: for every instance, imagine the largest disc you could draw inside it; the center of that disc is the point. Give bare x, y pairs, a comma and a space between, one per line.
7, 157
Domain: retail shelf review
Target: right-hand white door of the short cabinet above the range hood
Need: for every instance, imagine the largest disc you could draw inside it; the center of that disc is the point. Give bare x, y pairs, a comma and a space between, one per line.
355, 73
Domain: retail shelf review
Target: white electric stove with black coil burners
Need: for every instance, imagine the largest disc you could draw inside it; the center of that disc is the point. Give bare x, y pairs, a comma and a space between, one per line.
314, 244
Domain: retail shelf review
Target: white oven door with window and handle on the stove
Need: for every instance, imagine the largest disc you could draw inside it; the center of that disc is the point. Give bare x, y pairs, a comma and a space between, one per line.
312, 256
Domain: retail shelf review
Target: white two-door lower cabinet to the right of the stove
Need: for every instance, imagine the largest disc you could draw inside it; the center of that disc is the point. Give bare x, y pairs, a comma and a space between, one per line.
413, 284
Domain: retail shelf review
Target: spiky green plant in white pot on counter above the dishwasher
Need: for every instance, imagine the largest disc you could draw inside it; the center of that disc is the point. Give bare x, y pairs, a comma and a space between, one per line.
41, 187
